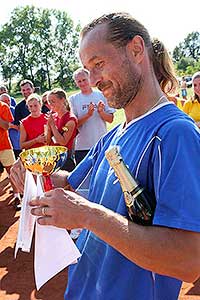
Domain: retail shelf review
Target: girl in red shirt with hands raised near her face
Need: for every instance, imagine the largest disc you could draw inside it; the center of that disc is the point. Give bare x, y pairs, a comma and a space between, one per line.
62, 125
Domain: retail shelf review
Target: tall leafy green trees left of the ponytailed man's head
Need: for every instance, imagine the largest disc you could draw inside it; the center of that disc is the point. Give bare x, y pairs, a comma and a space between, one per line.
41, 45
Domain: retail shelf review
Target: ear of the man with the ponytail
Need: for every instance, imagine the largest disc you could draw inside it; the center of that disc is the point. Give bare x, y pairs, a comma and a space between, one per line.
137, 49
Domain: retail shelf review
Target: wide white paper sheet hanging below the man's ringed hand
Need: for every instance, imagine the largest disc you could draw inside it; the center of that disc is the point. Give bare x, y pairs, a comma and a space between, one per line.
54, 250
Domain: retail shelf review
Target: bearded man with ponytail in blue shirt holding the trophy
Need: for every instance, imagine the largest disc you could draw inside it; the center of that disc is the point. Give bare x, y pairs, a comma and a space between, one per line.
121, 259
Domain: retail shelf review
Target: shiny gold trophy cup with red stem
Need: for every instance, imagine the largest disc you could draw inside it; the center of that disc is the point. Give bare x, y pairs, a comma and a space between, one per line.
44, 161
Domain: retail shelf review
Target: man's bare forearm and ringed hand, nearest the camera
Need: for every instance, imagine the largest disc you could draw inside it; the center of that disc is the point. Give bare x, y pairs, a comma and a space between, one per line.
166, 251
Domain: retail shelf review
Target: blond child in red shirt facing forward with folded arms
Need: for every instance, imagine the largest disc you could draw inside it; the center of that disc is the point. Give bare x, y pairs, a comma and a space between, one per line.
32, 127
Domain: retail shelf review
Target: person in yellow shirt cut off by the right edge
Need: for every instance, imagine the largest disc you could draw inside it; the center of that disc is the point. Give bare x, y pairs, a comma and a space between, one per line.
192, 107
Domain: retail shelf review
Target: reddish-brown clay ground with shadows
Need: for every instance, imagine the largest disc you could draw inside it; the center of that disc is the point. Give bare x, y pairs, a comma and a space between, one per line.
16, 275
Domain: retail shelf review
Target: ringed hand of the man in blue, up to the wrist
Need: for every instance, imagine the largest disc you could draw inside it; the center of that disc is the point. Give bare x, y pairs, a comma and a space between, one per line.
60, 208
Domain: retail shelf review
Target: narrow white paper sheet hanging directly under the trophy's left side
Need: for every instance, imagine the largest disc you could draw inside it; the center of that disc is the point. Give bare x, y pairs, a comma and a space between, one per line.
27, 221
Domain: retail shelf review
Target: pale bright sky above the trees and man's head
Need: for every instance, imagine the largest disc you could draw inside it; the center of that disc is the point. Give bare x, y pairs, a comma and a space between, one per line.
170, 20
